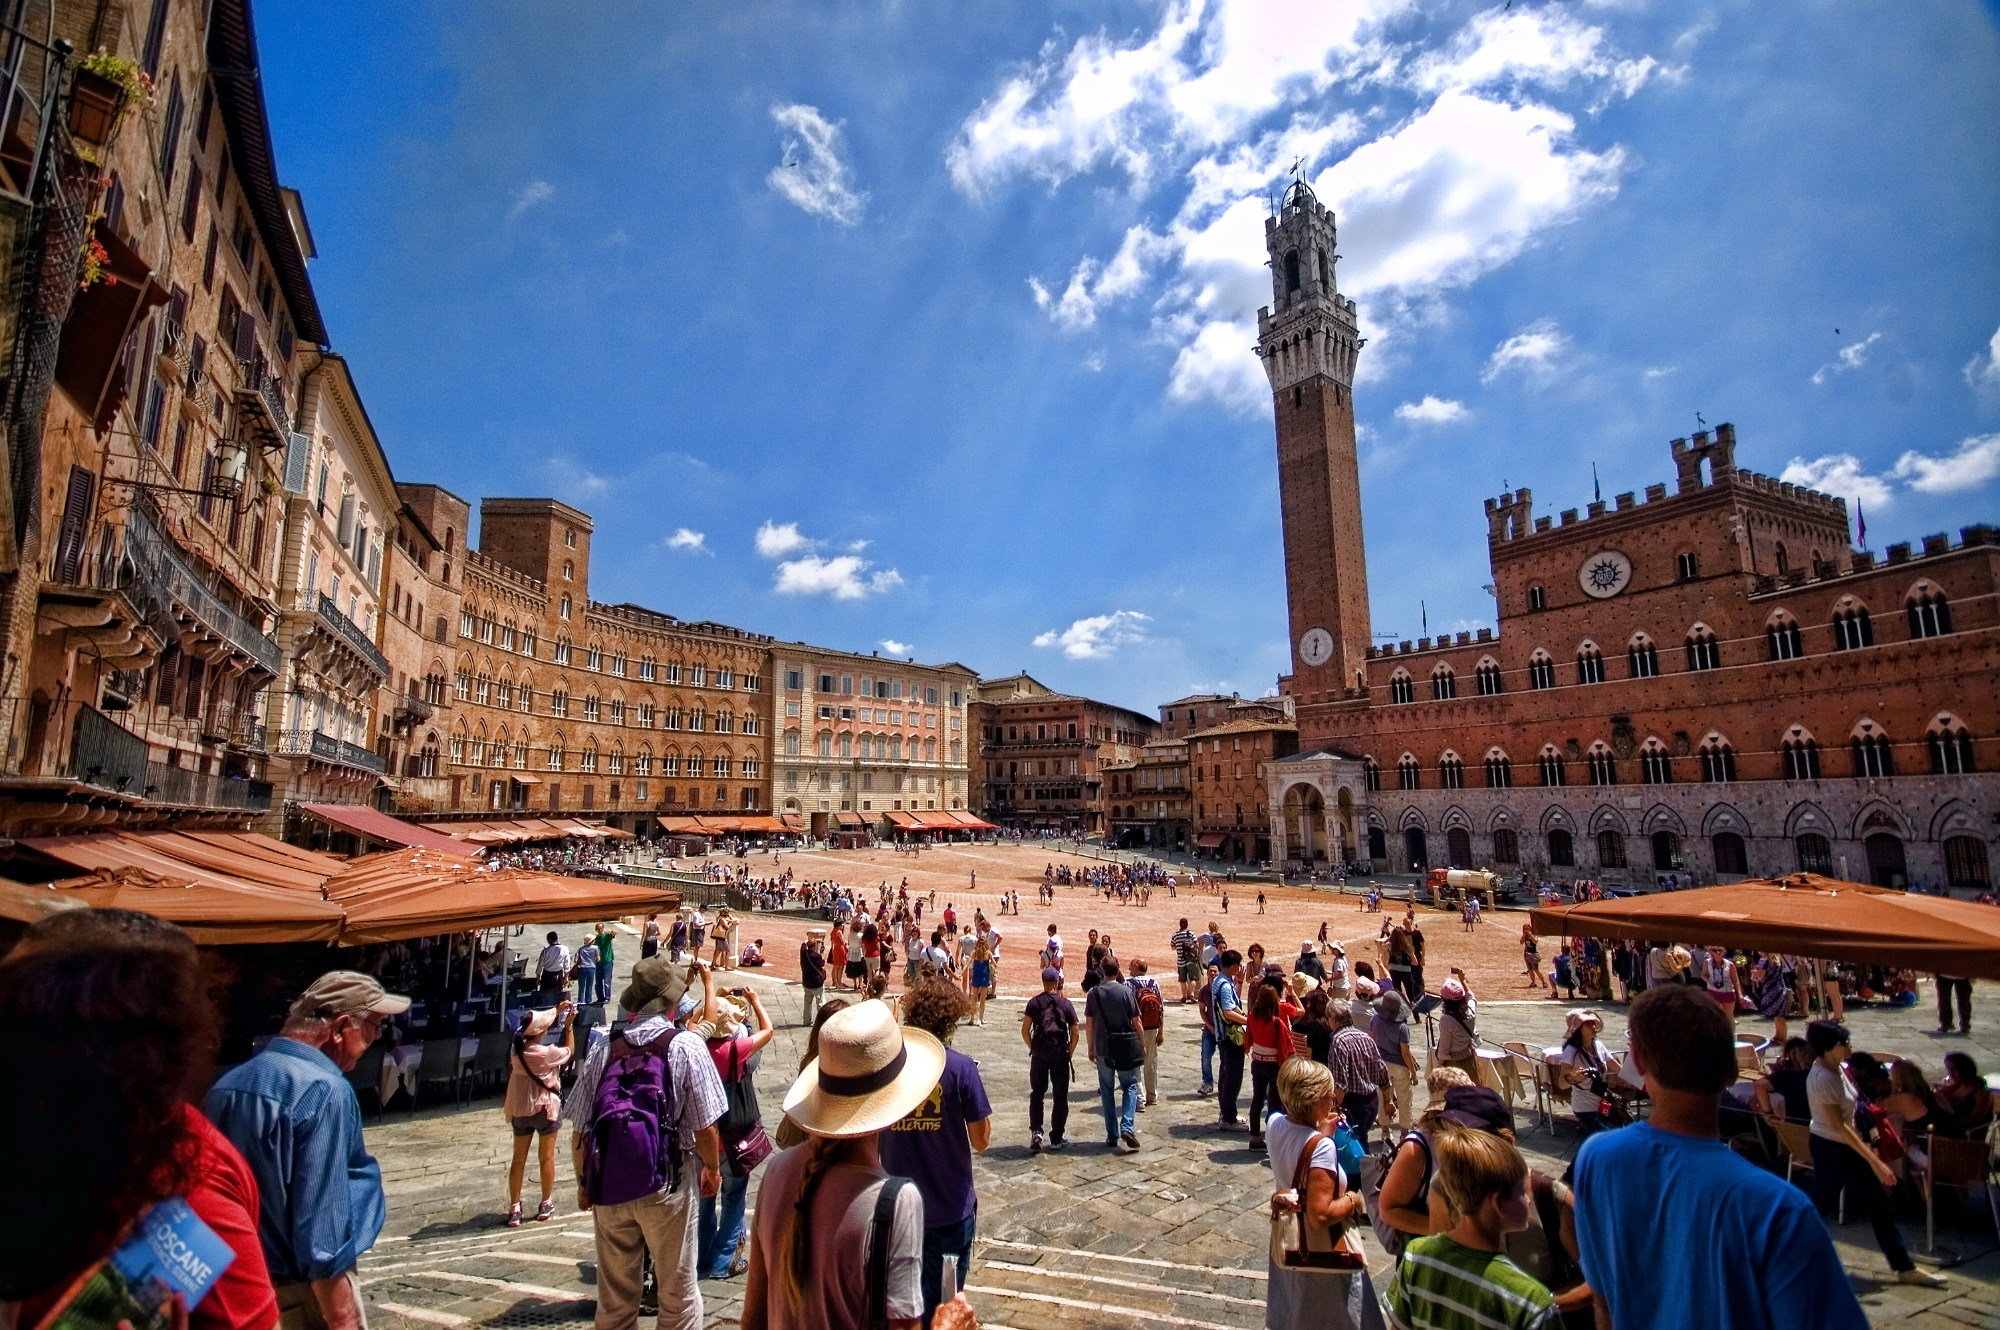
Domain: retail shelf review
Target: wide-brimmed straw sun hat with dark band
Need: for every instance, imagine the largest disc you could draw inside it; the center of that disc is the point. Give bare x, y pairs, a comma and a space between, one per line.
871, 1073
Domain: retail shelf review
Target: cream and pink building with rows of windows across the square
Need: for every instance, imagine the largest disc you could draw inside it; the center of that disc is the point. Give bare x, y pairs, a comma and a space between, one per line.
863, 737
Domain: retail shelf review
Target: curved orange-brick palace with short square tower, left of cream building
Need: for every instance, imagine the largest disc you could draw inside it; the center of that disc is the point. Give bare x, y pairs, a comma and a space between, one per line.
569, 705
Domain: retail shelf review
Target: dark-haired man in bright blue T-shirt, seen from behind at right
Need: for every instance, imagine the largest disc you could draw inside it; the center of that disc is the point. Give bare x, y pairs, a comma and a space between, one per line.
1675, 1229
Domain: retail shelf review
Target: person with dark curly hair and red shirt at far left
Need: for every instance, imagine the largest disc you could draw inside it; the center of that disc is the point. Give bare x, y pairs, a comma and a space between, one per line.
109, 1011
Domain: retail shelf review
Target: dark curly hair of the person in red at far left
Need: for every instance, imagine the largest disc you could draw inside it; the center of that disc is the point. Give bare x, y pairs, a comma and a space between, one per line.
117, 1041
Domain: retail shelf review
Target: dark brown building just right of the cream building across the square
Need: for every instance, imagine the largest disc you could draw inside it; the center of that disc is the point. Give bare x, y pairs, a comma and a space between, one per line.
1043, 755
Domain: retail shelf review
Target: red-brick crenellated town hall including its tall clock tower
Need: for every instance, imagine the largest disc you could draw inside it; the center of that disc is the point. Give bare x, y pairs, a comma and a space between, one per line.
1707, 683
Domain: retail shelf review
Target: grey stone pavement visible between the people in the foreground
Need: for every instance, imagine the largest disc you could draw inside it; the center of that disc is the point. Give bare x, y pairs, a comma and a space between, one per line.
1169, 1237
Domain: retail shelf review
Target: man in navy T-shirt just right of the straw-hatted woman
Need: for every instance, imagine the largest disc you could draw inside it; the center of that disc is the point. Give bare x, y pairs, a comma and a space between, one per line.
937, 1141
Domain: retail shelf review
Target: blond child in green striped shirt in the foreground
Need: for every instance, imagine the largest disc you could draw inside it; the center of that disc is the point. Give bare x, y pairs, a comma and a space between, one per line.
1463, 1277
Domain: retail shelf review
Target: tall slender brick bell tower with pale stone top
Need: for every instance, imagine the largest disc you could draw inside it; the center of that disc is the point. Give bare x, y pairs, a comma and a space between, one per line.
1307, 339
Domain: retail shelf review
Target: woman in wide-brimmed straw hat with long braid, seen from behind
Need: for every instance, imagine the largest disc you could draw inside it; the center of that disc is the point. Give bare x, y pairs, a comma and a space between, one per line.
813, 1249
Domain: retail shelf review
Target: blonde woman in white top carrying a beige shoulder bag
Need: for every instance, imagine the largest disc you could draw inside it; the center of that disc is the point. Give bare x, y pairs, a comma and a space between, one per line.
1309, 1299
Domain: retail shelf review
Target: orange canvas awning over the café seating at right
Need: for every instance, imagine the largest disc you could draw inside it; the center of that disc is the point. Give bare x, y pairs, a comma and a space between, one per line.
1801, 917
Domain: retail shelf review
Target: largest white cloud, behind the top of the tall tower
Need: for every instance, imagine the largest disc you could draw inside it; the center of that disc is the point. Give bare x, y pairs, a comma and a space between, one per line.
1459, 161
